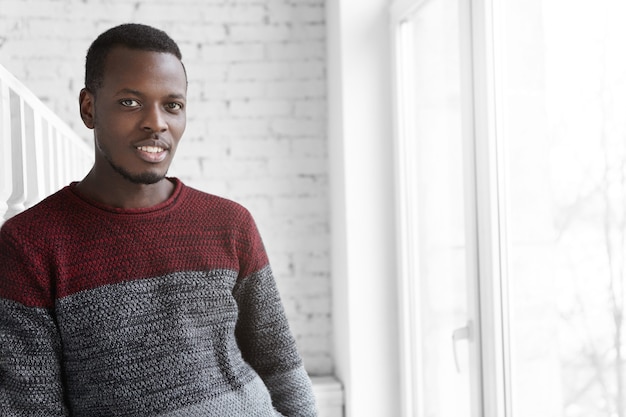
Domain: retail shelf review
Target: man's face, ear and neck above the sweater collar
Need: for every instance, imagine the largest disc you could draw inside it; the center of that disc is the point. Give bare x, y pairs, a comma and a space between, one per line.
138, 117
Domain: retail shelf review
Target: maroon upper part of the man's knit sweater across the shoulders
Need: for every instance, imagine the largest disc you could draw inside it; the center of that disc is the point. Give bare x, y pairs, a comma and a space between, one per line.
66, 244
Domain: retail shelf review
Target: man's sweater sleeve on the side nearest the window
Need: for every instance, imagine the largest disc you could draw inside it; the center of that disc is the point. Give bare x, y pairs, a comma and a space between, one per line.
265, 339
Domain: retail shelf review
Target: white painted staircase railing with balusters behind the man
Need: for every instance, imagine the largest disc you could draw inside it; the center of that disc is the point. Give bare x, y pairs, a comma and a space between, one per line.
39, 153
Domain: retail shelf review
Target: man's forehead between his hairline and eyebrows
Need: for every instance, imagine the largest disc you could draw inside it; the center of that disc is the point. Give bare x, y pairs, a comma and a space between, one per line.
139, 70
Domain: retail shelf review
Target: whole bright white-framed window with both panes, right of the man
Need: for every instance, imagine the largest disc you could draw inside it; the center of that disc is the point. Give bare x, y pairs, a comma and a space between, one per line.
511, 151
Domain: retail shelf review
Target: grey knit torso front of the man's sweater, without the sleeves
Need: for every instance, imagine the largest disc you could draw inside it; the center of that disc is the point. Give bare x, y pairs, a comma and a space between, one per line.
158, 346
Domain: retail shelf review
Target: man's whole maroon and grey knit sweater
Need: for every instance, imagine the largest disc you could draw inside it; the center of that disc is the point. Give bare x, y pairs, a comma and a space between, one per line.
170, 310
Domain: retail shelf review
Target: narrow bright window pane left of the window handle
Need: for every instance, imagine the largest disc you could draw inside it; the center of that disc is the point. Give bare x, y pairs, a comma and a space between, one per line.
433, 147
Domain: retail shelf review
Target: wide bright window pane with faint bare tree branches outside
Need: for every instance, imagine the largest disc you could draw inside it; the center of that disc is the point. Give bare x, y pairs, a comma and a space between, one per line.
563, 113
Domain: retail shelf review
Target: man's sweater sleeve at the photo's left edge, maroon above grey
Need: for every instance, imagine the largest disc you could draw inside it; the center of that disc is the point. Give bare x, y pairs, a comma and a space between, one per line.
30, 346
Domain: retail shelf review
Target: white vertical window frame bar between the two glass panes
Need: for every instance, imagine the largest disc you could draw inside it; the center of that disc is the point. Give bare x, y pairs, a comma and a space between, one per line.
491, 231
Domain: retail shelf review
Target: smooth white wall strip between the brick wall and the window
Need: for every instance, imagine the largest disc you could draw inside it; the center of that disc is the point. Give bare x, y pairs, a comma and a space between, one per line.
362, 221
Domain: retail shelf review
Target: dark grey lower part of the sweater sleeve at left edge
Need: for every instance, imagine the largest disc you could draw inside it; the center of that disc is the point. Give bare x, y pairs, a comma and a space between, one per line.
30, 376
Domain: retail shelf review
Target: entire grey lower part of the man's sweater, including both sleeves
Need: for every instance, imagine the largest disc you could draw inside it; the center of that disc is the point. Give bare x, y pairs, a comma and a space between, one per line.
166, 346
